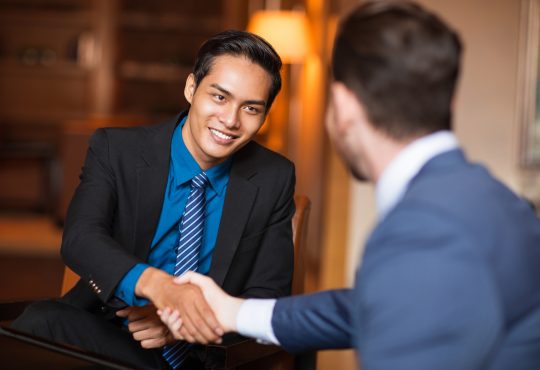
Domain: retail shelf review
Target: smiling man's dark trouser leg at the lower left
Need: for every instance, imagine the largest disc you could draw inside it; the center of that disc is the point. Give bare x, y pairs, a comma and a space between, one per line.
61, 322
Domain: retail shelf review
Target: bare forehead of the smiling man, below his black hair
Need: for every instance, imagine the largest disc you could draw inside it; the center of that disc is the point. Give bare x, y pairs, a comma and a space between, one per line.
239, 76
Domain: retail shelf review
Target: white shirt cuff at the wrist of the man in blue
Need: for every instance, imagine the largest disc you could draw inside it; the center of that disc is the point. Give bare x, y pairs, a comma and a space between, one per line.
254, 319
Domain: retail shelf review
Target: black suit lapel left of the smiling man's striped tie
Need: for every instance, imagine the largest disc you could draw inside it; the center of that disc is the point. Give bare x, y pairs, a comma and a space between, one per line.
152, 174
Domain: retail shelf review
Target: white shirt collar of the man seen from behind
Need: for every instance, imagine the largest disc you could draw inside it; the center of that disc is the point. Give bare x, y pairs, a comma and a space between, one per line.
398, 174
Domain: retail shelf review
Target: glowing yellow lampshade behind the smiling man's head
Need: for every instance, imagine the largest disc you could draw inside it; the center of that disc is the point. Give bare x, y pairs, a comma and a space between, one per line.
287, 31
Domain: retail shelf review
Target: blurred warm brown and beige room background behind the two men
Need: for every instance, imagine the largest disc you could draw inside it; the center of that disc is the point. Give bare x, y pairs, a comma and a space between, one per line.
70, 66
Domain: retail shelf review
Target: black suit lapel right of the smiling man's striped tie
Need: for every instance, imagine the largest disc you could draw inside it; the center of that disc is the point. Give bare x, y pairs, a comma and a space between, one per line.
241, 194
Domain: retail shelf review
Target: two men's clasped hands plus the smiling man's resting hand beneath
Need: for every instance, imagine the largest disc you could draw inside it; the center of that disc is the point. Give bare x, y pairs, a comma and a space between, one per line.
191, 307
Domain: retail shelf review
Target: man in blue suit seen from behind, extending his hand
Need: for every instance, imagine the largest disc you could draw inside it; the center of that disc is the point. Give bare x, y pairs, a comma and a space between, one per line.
450, 277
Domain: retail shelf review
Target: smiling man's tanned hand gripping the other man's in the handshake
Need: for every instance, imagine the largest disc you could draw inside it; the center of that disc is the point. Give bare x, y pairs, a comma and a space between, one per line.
198, 320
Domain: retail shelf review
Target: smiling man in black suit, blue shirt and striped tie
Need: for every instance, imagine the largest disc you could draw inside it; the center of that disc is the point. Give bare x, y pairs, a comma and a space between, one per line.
123, 230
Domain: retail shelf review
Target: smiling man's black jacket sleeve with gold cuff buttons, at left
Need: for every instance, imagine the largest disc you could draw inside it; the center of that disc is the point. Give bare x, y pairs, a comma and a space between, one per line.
88, 247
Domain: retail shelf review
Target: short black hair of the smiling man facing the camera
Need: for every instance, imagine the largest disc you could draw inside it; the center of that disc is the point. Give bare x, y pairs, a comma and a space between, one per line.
244, 44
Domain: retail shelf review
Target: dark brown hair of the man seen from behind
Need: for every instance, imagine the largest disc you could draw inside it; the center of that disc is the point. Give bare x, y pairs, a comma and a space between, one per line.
402, 62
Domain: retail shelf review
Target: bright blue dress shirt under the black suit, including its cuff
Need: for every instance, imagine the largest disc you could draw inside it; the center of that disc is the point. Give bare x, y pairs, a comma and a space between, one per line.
182, 169
